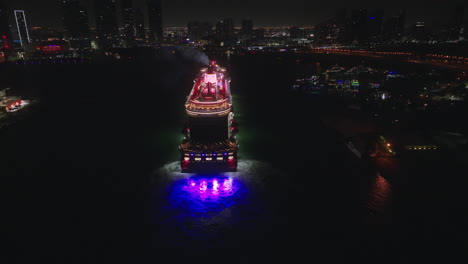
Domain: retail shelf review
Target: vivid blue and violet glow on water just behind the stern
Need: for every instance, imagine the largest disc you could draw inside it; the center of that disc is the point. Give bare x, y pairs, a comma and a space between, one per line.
203, 207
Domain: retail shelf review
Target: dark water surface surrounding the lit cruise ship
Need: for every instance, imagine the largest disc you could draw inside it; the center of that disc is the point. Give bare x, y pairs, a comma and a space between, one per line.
92, 176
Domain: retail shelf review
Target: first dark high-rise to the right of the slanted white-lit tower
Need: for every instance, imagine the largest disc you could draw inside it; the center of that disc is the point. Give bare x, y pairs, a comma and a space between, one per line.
75, 20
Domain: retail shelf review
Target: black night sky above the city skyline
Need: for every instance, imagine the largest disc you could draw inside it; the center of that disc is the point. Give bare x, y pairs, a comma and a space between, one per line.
263, 12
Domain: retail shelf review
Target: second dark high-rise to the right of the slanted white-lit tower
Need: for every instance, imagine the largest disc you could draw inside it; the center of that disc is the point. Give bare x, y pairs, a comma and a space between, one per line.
106, 18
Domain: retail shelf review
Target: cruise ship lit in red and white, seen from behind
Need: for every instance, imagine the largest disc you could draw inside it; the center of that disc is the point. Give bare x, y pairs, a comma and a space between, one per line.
209, 142
